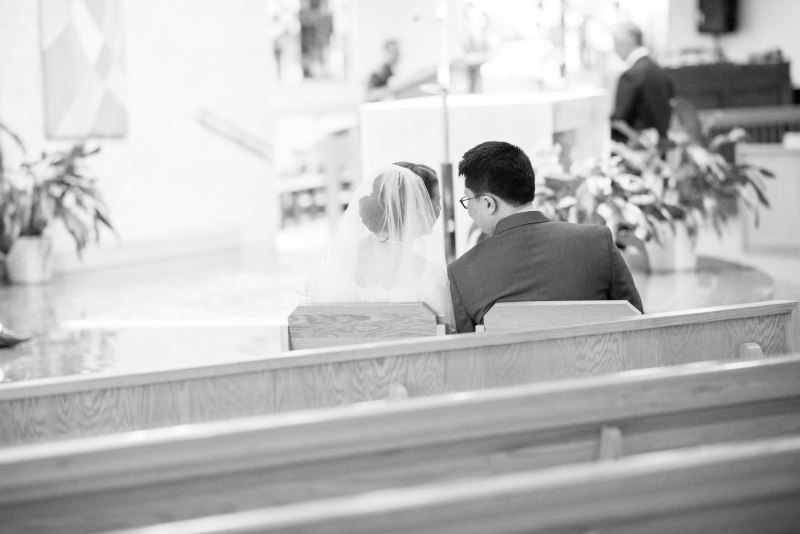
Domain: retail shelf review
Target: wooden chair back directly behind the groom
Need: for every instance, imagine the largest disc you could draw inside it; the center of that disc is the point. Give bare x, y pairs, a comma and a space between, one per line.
521, 316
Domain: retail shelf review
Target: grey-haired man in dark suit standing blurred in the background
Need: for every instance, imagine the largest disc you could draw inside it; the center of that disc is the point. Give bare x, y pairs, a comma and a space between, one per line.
644, 90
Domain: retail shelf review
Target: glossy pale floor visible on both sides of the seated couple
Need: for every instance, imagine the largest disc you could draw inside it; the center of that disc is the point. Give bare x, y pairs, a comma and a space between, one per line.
203, 310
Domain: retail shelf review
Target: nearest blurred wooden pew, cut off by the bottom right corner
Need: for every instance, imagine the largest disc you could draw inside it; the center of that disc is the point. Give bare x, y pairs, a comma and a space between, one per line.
725, 489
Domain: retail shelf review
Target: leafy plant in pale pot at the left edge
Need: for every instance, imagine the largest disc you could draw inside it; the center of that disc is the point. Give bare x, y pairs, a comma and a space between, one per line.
36, 194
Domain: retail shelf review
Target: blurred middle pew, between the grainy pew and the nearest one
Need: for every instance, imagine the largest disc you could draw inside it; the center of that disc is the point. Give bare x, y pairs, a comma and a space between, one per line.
176, 473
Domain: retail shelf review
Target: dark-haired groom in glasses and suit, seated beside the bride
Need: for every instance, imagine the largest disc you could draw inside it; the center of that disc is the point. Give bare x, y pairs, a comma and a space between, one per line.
528, 256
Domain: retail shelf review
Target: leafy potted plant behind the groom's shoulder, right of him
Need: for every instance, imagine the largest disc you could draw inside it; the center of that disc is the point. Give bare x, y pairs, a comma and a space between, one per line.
656, 195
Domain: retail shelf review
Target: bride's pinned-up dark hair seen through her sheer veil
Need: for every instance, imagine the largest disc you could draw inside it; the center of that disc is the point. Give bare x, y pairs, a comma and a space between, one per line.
372, 207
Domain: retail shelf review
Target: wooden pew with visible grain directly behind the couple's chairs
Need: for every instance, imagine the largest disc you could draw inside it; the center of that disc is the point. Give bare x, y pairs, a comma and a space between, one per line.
106, 403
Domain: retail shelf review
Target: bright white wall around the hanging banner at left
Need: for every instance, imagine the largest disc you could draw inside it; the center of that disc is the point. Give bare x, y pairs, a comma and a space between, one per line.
170, 179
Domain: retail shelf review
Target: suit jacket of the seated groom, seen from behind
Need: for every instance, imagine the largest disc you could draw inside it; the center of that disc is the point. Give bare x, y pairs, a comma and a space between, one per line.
531, 257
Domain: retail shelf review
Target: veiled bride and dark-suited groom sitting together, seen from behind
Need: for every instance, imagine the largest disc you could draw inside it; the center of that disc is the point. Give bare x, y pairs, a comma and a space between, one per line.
388, 246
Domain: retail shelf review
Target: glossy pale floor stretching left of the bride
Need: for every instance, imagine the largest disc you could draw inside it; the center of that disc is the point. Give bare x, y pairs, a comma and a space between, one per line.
191, 311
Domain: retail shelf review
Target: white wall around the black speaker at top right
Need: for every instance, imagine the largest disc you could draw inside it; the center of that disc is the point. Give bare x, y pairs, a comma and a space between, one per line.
763, 25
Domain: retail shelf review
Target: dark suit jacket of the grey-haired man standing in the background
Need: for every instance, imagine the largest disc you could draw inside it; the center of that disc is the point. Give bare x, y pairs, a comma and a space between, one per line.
643, 97
